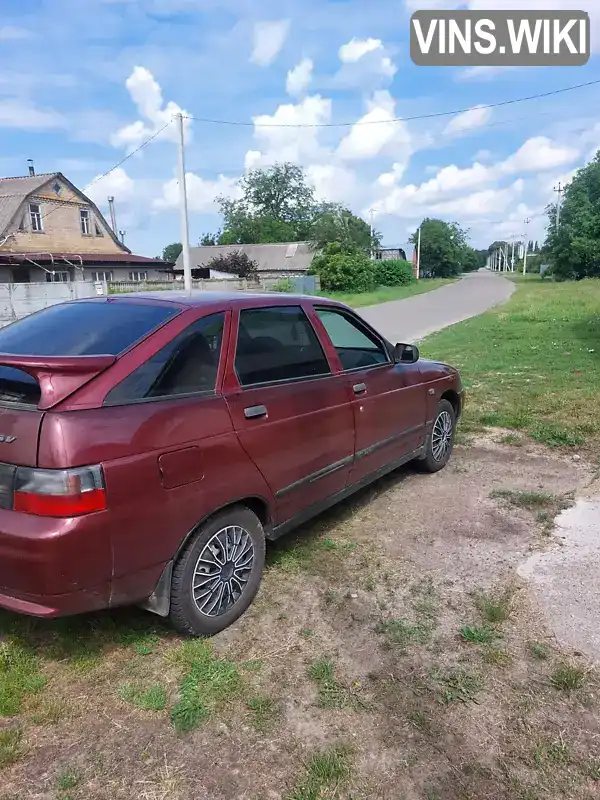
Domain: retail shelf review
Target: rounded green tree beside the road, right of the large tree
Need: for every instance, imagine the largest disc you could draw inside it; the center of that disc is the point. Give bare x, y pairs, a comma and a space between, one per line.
444, 248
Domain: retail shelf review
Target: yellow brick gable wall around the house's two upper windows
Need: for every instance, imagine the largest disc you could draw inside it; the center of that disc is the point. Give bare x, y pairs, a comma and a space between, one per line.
62, 225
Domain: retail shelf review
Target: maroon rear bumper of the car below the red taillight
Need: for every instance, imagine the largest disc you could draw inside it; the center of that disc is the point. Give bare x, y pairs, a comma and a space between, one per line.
50, 567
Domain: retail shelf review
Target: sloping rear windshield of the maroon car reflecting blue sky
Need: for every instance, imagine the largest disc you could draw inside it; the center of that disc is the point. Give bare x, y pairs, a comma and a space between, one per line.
83, 329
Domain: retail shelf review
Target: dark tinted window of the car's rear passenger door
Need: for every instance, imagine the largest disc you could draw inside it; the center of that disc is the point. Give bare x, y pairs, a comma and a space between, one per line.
277, 344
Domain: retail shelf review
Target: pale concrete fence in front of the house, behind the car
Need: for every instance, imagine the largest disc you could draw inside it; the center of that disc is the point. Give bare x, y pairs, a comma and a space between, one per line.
17, 300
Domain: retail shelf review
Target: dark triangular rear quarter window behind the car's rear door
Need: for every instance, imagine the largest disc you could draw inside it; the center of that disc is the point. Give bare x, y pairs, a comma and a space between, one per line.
187, 365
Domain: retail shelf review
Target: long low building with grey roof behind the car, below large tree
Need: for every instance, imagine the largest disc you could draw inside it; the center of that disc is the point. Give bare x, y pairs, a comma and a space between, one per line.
273, 260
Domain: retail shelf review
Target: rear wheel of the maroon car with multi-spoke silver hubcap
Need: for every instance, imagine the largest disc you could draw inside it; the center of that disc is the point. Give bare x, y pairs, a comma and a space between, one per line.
218, 573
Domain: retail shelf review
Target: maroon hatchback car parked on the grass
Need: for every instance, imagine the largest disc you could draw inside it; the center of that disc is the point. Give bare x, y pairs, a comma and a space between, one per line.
149, 444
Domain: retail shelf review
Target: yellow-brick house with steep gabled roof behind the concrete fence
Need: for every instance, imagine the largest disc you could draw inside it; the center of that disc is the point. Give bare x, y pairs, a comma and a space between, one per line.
51, 231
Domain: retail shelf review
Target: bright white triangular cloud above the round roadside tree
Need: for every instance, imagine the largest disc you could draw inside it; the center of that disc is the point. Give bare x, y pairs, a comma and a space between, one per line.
376, 133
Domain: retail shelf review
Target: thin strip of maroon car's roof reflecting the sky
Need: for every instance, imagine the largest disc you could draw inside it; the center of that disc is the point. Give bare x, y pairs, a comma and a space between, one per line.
206, 298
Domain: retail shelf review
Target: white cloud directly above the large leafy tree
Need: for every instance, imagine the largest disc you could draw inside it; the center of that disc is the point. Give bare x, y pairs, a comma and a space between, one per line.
300, 145
